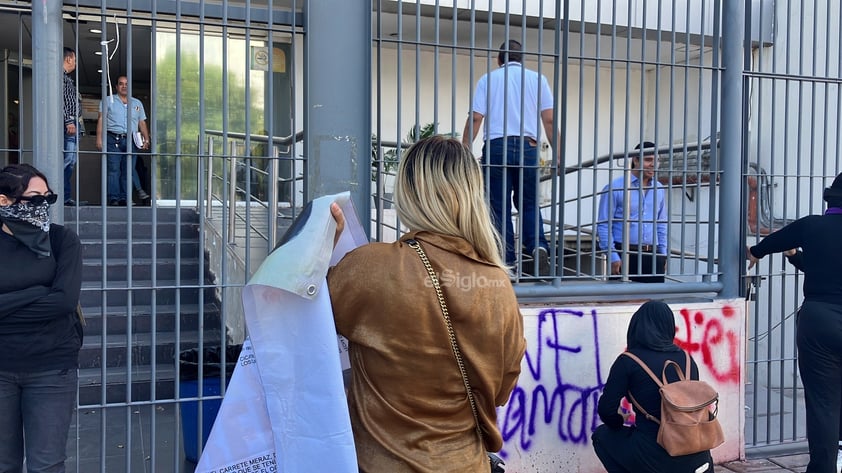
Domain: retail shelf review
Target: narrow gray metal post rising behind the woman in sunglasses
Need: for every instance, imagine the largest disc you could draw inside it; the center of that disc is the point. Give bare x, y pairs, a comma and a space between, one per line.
48, 146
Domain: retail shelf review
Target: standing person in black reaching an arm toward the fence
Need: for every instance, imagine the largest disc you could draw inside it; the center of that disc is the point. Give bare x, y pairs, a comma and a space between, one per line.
818, 325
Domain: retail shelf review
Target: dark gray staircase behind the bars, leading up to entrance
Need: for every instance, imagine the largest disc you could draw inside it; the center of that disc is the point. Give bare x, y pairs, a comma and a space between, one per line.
136, 328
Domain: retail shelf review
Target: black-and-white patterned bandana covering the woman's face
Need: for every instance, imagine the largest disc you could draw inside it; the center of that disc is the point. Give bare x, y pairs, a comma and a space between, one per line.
29, 224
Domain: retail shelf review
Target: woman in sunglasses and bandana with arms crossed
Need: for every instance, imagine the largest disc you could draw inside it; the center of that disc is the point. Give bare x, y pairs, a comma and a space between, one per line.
40, 331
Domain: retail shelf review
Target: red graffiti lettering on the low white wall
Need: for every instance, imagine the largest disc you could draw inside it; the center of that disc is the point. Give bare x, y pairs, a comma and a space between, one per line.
717, 345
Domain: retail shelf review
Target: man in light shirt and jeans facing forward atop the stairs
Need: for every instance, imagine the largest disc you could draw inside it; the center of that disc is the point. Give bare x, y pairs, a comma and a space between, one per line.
120, 141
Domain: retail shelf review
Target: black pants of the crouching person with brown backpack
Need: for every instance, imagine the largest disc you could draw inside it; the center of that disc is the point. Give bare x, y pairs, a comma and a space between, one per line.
629, 450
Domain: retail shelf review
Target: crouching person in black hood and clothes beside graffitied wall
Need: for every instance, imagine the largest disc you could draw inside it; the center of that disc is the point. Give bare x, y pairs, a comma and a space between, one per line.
634, 449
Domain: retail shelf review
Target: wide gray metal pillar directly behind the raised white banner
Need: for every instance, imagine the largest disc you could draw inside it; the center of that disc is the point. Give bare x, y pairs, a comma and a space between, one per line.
338, 119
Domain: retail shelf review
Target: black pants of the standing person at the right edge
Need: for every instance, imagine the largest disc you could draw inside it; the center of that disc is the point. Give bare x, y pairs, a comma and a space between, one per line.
819, 339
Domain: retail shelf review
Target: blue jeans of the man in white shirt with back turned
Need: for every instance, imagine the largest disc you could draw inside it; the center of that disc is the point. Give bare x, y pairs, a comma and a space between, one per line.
508, 178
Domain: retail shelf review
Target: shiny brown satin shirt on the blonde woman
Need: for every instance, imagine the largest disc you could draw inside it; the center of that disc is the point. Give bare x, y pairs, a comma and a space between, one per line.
408, 406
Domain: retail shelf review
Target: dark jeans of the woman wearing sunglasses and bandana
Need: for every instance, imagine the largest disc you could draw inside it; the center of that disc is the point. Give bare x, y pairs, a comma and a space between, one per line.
35, 412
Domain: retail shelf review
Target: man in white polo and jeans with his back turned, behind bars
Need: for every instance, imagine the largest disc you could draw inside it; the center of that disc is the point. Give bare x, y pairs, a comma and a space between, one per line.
516, 103
